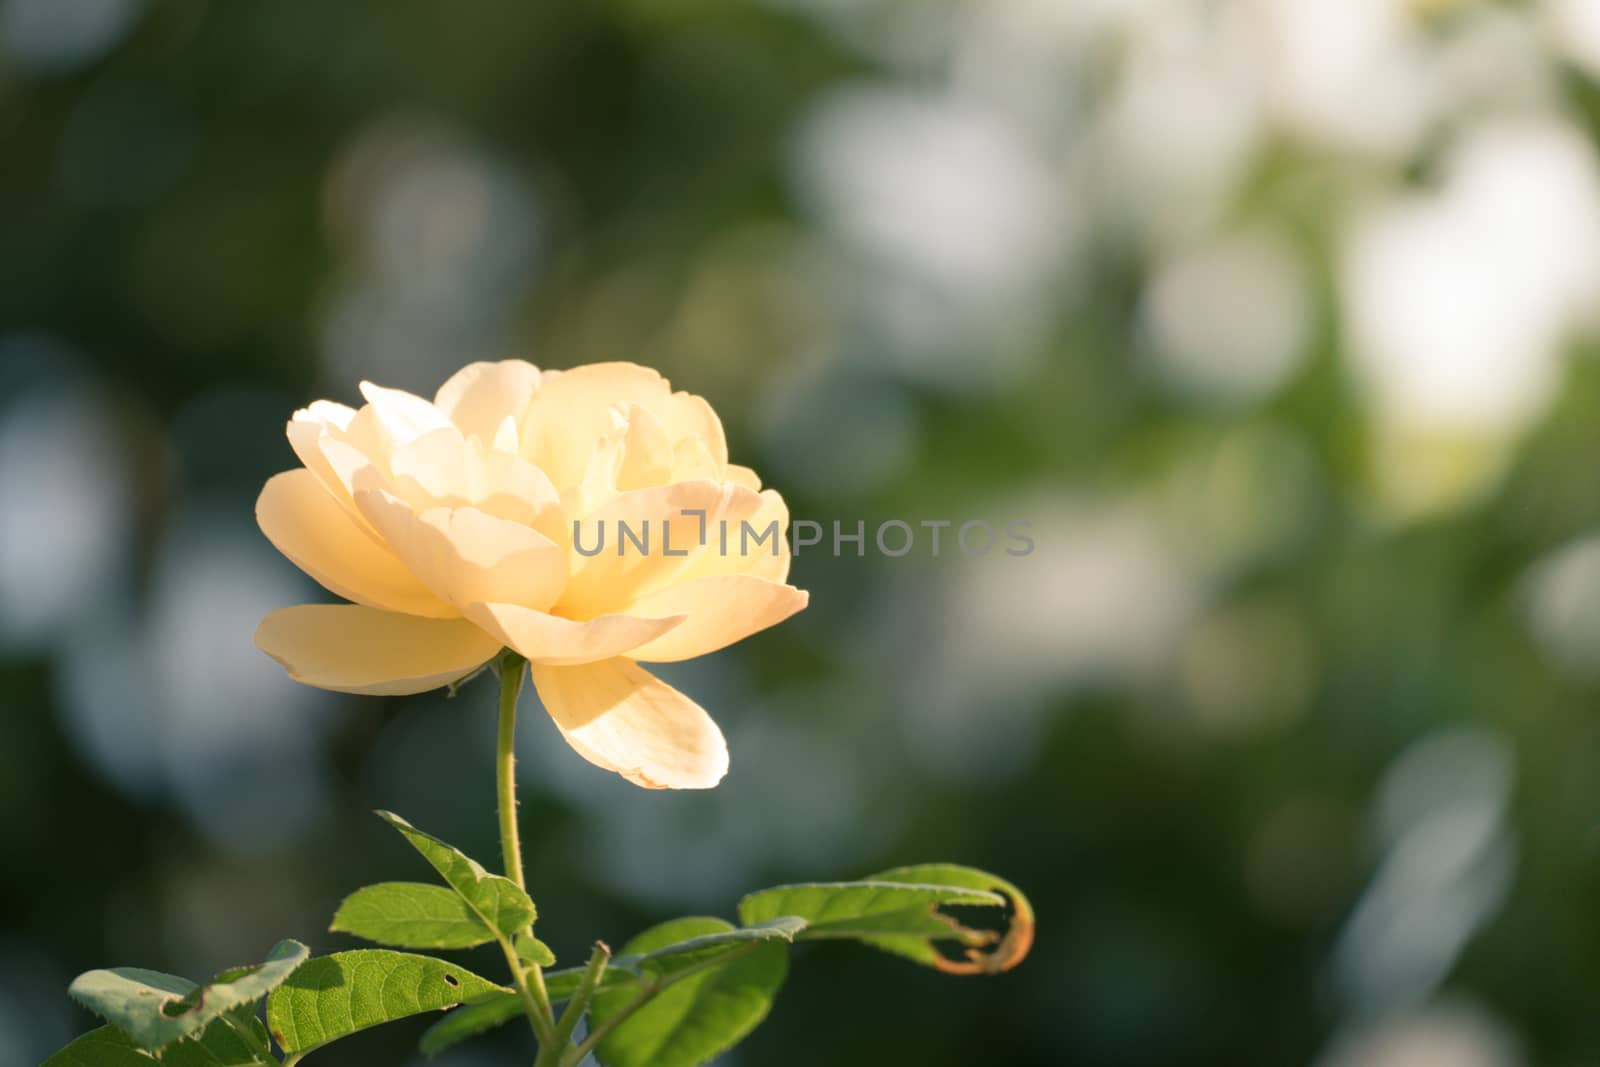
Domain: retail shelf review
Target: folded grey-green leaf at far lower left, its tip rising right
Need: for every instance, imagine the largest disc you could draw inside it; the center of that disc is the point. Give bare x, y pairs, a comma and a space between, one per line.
158, 1010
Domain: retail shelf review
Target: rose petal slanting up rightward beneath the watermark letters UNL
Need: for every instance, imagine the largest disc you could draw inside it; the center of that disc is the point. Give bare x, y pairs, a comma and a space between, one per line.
671, 527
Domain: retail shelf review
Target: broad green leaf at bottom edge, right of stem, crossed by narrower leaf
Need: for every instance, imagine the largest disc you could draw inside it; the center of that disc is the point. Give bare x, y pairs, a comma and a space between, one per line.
700, 1012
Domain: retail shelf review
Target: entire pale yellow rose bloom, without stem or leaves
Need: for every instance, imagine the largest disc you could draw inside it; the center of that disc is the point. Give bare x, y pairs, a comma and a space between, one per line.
450, 526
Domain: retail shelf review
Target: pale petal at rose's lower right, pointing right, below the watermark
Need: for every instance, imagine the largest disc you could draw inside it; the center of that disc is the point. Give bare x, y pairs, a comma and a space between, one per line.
722, 610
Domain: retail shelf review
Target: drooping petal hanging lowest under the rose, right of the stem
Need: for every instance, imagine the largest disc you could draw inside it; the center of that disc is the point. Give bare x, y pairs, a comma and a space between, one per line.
622, 717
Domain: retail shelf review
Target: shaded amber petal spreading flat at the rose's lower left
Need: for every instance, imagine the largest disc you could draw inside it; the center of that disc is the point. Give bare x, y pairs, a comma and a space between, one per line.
362, 650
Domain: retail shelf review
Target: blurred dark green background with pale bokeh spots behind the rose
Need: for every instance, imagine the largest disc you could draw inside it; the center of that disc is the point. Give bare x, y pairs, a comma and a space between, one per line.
1278, 321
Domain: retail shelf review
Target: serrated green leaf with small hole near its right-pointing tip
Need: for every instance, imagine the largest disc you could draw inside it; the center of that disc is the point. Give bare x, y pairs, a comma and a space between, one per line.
337, 996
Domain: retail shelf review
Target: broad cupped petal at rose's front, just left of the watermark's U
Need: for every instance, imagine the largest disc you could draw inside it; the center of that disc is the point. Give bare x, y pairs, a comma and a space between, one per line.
466, 556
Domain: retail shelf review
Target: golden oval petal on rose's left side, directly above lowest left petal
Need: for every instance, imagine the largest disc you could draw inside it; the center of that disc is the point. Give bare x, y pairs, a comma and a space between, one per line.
308, 526
